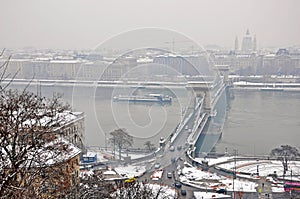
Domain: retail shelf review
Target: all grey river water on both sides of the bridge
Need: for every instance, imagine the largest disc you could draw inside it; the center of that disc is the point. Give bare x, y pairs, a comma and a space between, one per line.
256, 121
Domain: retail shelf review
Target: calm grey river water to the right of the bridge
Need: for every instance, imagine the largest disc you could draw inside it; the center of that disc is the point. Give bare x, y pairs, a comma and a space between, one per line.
258, 121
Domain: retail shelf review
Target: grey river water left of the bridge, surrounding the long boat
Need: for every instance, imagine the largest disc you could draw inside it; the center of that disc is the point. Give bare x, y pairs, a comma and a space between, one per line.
144, 121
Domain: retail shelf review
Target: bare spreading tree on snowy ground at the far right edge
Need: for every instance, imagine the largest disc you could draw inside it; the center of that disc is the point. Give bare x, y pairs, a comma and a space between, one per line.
285, 153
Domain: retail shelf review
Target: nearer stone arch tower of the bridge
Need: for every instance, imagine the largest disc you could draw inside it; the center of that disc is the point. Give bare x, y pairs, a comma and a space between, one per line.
202, 89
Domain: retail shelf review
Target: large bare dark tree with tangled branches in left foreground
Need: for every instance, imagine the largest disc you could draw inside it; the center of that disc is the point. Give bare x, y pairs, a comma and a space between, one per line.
29, 149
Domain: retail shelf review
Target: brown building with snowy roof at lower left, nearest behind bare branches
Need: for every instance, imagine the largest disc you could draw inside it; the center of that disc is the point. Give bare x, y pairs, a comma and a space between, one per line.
51, 171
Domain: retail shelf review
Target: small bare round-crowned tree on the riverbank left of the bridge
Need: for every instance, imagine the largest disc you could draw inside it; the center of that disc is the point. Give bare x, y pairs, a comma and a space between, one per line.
120, 139
